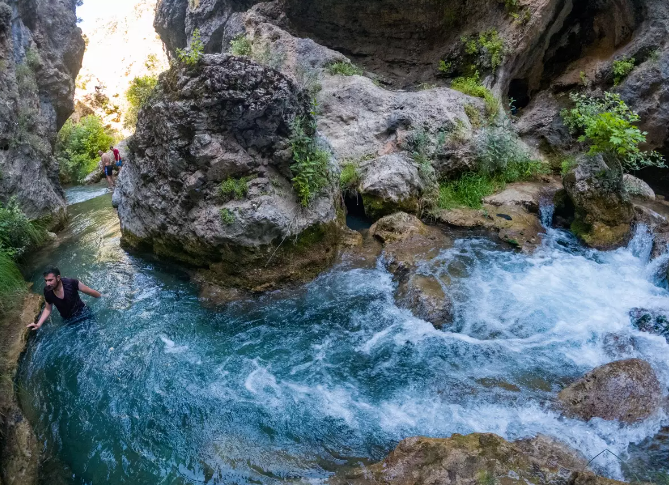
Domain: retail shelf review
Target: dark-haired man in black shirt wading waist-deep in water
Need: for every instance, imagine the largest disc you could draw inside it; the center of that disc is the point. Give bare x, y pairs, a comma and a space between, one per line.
64, 293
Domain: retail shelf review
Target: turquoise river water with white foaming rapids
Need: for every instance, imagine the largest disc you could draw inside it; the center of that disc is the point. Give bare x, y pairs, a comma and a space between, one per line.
290, 387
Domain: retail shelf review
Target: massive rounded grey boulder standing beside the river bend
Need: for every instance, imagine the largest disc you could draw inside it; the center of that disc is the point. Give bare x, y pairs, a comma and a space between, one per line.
226, 120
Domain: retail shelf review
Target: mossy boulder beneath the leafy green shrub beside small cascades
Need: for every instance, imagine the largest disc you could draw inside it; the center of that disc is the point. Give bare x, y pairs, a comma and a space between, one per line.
603, 213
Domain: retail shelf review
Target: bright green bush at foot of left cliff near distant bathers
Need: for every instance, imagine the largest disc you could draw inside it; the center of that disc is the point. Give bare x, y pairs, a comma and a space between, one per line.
77, 147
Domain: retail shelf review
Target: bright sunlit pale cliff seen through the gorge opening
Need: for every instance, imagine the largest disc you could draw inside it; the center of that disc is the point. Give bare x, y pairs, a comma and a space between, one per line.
118, 49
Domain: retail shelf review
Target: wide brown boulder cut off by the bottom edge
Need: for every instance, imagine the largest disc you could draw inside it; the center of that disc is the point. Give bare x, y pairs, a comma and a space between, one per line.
475, 458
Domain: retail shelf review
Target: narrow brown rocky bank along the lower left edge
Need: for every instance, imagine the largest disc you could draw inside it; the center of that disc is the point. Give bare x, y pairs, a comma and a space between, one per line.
19, 448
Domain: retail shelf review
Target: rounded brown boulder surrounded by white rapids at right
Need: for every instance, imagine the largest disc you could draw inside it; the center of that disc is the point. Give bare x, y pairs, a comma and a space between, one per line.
625, 390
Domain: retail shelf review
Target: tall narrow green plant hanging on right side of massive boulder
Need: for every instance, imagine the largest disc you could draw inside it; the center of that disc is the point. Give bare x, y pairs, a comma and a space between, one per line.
310, 162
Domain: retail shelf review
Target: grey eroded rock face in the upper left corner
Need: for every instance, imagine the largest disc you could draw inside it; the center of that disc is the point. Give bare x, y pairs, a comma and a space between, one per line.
41, 49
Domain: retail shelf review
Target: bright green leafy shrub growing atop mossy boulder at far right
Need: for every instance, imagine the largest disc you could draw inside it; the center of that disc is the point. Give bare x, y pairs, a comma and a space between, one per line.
606, 124
